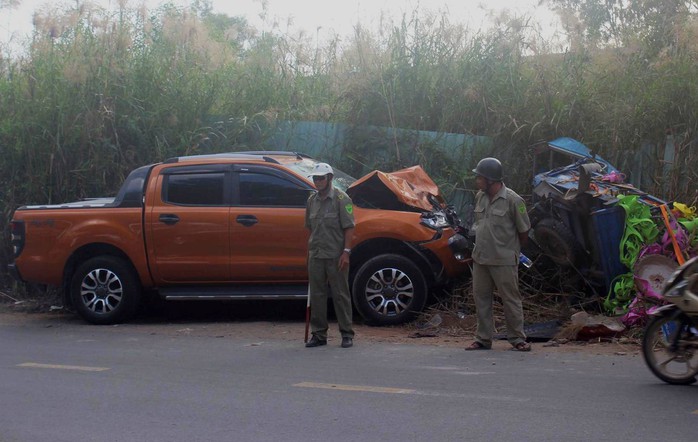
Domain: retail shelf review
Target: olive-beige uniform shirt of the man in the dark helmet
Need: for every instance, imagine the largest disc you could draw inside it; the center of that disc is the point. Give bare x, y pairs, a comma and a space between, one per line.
497, 225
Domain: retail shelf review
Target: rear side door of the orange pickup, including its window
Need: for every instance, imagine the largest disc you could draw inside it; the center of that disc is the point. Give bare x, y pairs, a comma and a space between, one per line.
188, 224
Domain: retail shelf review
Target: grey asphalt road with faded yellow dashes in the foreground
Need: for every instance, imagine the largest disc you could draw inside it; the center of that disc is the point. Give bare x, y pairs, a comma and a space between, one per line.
63, 380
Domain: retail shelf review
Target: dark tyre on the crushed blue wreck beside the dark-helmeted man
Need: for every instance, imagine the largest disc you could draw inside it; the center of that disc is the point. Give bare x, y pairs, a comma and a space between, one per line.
557, 242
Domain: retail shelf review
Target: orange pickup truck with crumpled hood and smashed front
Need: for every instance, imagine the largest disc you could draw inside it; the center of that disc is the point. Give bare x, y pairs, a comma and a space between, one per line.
230, 226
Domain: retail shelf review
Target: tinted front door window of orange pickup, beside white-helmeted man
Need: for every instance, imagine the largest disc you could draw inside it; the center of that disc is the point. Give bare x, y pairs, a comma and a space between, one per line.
258, 189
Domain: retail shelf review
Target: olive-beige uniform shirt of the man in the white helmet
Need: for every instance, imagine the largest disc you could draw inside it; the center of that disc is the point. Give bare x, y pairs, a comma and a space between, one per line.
327, 219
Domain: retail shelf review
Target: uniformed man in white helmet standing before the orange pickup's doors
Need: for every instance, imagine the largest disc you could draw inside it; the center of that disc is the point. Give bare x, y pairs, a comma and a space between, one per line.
330, 219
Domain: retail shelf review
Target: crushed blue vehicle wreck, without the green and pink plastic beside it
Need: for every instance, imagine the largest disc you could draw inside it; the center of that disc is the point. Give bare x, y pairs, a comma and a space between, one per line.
577, 223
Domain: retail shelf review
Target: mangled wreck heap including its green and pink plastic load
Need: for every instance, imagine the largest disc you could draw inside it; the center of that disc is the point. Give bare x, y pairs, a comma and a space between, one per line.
603, 235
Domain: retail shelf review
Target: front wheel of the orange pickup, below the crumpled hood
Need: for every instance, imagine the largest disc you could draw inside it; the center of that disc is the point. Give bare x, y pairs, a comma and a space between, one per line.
389, 289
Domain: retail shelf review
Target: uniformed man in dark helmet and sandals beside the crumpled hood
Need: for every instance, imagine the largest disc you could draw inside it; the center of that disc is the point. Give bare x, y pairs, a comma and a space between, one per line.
501, 226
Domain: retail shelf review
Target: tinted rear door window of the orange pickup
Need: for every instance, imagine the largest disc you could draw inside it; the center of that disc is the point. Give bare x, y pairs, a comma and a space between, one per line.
194, 189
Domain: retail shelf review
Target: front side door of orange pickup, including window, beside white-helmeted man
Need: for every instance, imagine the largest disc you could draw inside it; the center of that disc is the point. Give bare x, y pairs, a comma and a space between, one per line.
268, 240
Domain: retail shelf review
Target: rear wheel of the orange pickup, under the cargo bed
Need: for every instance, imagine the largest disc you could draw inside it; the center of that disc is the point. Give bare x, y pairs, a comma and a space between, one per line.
105, 290
